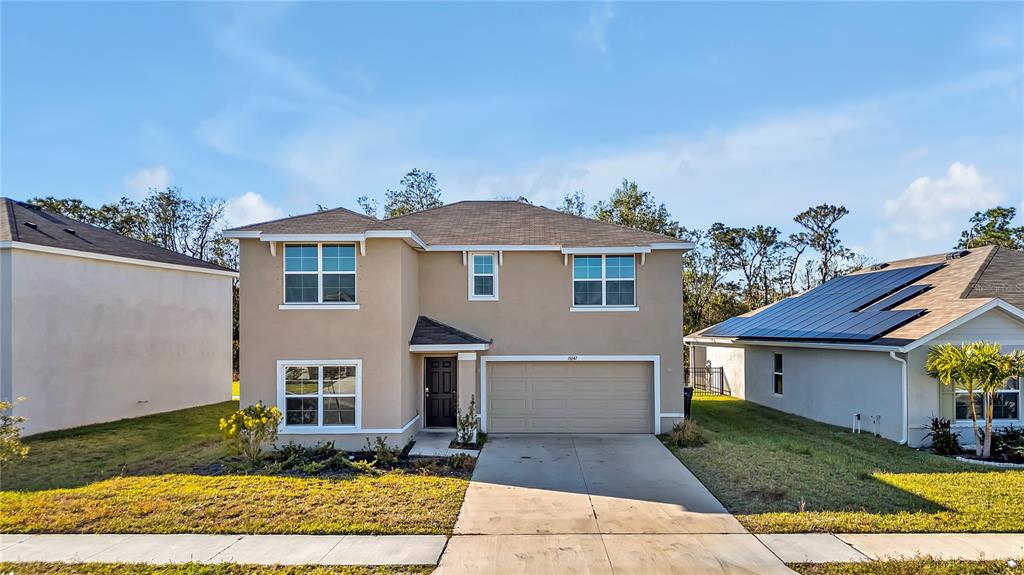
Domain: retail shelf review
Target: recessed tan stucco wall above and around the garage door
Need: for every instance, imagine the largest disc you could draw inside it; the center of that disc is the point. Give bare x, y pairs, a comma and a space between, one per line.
533, 318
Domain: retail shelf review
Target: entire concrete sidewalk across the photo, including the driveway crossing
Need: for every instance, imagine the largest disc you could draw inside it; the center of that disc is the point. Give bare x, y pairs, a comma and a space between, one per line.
576, 553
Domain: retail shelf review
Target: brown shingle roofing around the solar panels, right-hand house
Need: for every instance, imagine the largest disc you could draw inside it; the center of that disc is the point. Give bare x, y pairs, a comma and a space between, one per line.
961, 287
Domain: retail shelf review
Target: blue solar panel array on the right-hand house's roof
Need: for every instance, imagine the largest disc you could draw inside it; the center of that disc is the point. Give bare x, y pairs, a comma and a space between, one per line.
838, 311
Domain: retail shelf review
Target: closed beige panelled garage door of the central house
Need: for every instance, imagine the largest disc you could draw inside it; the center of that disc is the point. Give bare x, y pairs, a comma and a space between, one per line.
570, 397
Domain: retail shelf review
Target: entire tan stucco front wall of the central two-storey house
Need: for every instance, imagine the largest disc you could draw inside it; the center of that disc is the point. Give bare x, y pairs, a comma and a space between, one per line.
397, 284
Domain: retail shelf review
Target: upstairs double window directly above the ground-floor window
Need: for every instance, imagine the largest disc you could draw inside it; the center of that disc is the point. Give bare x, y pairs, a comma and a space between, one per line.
320, 274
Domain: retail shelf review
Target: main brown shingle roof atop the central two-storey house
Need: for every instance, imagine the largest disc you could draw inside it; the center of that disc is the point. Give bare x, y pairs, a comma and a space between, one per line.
476, 224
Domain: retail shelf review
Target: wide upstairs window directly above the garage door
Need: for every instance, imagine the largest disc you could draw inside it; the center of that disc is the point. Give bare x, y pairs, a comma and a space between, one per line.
604, 281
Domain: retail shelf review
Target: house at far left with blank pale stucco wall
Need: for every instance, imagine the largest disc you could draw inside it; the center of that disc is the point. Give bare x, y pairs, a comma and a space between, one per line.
96, 327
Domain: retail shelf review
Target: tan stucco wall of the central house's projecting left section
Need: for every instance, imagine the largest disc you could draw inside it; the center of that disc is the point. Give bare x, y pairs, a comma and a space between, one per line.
377, 333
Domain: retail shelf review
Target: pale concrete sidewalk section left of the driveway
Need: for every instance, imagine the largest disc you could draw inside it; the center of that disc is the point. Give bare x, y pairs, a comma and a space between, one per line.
255, 550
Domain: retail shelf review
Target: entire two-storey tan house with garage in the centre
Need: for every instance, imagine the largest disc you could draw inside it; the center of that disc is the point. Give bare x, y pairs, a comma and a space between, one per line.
358, 328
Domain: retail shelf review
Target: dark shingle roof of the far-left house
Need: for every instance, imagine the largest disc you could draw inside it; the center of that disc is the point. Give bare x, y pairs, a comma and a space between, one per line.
30, 225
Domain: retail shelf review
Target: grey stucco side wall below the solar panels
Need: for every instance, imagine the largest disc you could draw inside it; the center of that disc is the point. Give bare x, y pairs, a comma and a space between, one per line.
830, 386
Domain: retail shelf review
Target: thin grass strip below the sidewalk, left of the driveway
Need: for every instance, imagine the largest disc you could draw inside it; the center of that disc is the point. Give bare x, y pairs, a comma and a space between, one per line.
198, 569
